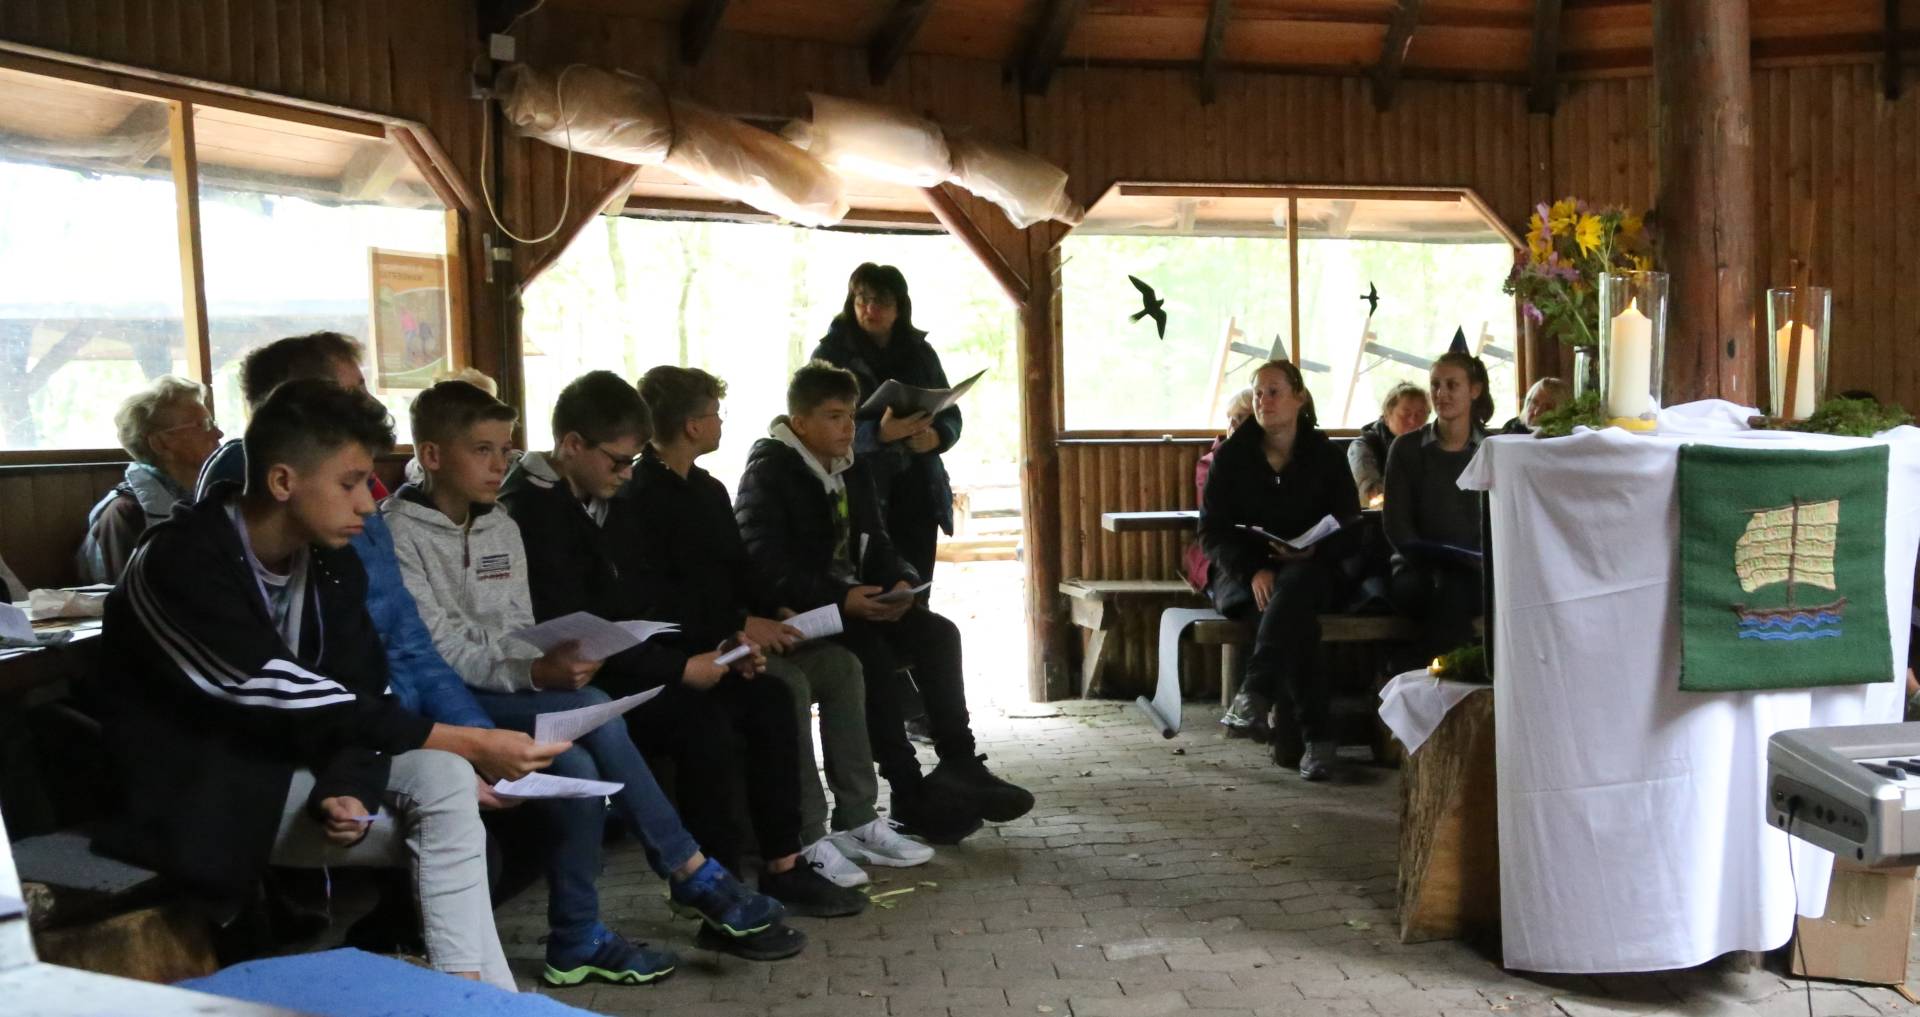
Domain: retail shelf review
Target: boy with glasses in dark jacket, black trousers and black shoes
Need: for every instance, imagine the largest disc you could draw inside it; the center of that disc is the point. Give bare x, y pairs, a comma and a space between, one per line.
713, 724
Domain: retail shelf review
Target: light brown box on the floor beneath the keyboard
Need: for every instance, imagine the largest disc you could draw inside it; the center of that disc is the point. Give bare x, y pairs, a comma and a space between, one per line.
1865, 932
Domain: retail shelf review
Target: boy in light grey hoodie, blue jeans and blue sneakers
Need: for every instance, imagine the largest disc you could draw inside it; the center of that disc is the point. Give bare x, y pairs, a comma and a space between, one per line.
468, 569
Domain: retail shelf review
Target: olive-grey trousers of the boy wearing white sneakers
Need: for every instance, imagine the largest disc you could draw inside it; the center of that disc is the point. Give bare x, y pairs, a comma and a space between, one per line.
830, 676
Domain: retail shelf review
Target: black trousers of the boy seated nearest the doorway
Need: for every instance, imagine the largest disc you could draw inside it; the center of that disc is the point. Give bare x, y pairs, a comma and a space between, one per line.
930, 646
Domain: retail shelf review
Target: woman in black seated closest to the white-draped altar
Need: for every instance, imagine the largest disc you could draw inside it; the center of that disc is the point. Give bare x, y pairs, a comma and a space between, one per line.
1433, 525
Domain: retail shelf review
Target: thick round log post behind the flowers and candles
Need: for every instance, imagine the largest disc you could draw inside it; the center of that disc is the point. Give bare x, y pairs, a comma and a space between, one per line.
1706, 202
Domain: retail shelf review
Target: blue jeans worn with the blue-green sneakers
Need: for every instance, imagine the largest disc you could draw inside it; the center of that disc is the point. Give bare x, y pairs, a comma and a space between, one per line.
581, 824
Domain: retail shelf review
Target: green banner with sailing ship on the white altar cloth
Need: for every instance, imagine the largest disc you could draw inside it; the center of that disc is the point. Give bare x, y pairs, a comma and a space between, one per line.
1783, 569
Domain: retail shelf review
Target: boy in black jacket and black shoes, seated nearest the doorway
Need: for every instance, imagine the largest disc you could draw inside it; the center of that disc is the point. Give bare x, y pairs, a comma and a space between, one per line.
811, 521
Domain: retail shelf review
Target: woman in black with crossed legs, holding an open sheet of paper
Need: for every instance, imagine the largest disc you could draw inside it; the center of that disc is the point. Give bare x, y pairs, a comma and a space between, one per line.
1282, 475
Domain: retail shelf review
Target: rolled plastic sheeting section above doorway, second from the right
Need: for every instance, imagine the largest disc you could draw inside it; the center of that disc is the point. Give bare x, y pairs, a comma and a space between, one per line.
875, 141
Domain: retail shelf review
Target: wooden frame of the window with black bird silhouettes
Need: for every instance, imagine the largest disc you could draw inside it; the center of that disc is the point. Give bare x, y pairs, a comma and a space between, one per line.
1293, 195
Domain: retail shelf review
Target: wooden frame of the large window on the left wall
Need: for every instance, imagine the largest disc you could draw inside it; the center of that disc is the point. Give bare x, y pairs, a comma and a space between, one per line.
183, 97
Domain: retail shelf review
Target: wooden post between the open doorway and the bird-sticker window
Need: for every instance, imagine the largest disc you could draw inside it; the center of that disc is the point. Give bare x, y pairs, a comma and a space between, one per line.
1049, 676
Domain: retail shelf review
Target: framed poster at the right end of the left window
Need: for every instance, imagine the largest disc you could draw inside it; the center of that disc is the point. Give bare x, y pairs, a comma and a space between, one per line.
408, 308
